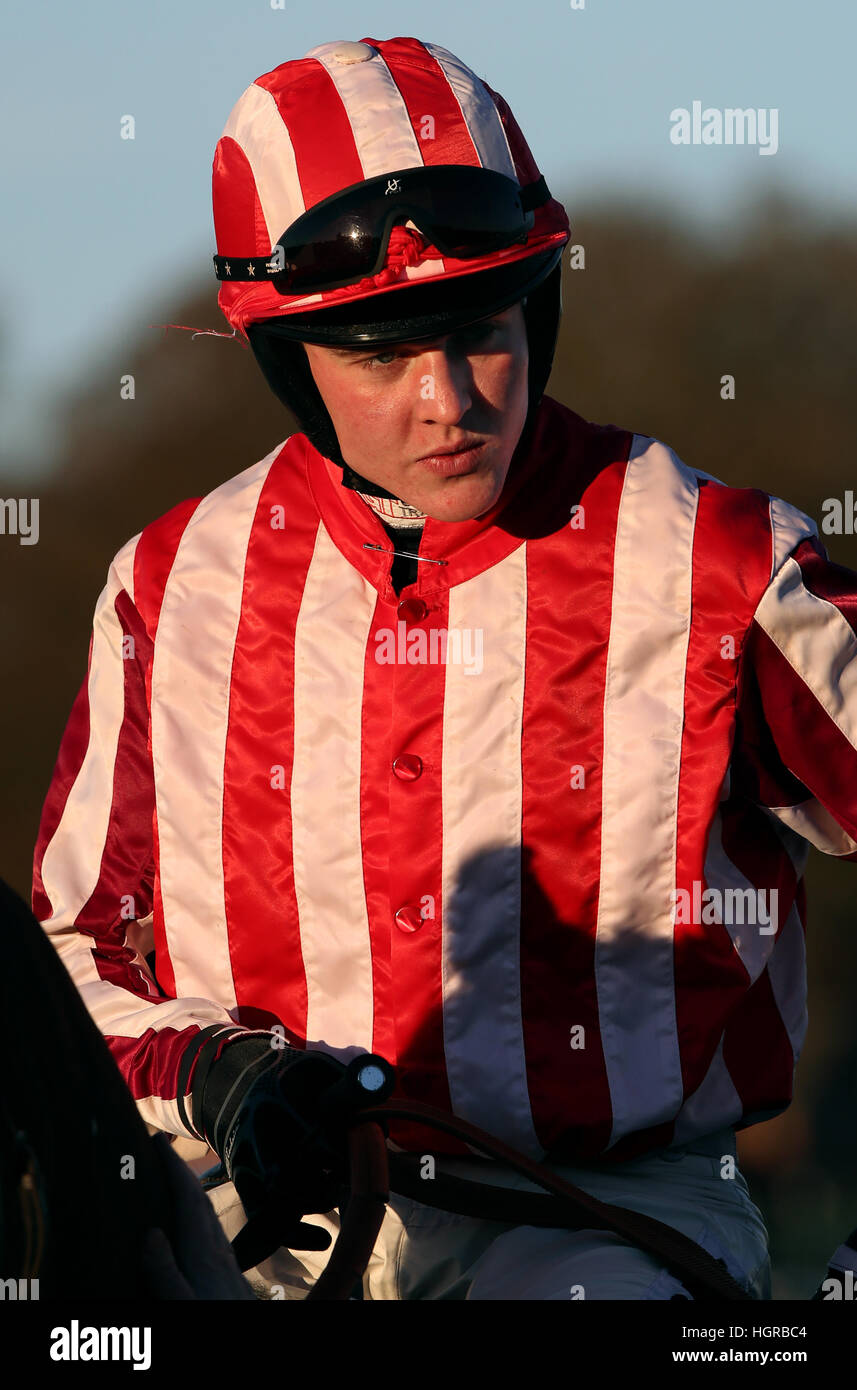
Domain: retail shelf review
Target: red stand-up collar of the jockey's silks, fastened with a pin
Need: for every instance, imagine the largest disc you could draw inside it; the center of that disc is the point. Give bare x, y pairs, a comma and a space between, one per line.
542, 473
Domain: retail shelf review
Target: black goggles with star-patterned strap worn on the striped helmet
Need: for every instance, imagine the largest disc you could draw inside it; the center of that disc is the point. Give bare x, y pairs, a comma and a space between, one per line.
463, 211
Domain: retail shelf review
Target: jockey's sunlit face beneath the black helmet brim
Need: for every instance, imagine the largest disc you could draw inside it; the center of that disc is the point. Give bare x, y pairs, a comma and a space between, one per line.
394, 407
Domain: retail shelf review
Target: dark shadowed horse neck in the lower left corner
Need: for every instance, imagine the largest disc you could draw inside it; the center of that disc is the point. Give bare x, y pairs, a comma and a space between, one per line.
70, 1134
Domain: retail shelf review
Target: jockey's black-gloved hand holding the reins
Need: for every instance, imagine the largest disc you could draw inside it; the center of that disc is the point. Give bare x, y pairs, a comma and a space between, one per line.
262, 1114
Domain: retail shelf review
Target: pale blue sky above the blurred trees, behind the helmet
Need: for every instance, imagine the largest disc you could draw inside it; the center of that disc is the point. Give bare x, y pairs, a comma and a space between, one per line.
103, 237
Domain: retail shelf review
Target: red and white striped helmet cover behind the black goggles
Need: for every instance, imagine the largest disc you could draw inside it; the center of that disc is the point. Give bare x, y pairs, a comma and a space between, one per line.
351, 112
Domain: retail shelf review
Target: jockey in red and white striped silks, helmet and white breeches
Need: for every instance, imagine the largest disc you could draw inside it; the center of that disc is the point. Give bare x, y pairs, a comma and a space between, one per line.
458, 729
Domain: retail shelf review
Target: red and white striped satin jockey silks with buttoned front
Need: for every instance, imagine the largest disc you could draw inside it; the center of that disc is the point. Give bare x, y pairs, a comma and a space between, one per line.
469, 867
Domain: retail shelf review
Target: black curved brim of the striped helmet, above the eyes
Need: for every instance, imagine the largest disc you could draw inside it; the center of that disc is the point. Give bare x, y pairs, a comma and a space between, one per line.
419, 311
